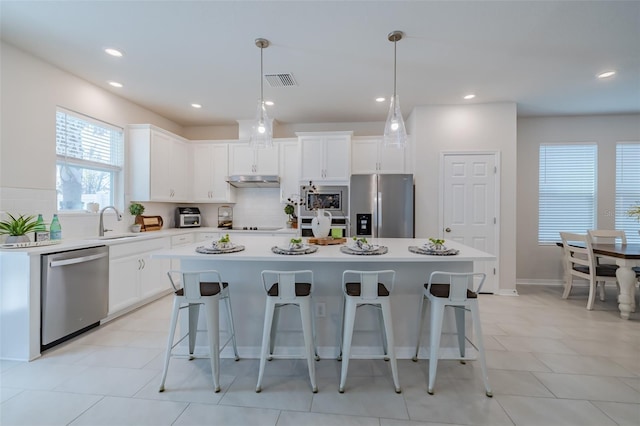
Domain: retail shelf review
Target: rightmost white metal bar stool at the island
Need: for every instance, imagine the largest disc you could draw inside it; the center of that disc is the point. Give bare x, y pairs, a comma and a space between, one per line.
457, 294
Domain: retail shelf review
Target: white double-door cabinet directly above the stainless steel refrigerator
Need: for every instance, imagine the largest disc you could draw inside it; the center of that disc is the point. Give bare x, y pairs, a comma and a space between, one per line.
369, 155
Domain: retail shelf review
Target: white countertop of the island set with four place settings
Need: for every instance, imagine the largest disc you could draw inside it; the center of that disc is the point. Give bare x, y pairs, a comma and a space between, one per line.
259, 249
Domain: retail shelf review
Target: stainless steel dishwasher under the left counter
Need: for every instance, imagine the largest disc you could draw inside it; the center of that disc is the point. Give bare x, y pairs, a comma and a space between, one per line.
75, 293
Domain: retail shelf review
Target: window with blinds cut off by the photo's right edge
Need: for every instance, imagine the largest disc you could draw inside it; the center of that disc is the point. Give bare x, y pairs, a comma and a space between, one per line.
627, 187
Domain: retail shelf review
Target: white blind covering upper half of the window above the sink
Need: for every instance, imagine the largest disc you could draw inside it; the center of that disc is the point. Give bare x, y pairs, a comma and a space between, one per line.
85, 141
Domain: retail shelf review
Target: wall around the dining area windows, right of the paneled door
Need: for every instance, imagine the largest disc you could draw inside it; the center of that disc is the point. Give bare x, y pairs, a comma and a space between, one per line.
542, 264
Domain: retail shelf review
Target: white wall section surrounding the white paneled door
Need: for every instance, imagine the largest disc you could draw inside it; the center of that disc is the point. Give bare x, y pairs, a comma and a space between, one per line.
479, 127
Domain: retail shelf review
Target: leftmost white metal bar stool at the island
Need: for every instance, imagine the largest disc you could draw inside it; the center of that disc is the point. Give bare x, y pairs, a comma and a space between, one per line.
192, 289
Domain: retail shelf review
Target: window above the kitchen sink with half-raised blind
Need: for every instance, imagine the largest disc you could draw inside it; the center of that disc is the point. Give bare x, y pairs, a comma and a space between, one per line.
89, 161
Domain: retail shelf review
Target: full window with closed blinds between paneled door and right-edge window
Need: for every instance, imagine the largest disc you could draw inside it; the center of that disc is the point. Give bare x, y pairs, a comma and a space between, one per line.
567, 190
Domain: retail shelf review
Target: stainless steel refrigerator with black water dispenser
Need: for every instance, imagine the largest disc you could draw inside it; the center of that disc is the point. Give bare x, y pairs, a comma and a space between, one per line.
381, 206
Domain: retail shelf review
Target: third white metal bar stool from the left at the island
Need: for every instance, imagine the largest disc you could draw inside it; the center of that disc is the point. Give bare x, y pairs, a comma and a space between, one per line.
367, 288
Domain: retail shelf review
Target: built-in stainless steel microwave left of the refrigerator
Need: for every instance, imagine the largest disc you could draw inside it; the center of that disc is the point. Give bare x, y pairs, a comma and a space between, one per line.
334, 199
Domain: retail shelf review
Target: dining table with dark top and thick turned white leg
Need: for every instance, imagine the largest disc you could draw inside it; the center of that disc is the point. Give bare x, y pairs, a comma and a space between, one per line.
626, 257
